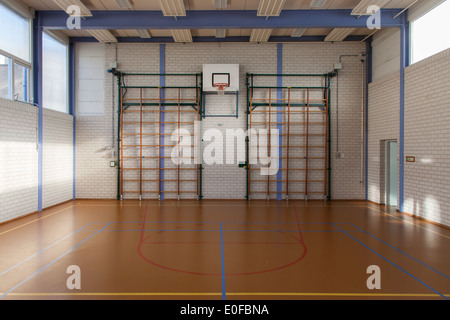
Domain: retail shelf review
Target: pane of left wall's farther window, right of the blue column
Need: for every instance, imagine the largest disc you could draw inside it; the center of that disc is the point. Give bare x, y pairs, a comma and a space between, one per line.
54, 74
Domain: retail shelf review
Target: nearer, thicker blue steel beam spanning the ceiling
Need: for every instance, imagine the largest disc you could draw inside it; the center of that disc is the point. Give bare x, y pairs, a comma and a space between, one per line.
220, 19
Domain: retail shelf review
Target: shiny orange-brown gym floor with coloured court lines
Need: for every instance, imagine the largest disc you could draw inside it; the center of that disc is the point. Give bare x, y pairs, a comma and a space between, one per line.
223, 250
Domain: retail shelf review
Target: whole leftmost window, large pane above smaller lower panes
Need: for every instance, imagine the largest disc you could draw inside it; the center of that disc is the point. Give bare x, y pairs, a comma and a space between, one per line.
15, 57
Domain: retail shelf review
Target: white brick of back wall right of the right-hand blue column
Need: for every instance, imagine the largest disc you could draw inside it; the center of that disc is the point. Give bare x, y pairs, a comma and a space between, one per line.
320, 58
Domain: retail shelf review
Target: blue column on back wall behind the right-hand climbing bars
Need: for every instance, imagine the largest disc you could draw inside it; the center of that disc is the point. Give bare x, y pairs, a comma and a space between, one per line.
280, 119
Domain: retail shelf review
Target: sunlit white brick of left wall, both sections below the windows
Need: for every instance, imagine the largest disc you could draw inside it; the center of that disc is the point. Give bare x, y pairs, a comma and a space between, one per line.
19, 159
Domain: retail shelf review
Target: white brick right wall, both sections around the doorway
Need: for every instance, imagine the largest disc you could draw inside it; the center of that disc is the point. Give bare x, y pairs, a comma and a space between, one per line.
426, 133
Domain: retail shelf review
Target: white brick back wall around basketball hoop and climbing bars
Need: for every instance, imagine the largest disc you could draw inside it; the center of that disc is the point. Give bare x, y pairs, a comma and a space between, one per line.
95, 179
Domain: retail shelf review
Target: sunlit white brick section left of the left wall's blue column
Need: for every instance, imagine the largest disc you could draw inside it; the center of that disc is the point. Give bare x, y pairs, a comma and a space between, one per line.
18, 160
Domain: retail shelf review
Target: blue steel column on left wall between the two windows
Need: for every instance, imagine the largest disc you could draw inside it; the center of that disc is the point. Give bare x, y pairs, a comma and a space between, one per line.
37, 92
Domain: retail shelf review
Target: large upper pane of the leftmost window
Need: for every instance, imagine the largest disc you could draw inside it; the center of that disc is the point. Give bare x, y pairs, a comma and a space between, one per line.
15, 33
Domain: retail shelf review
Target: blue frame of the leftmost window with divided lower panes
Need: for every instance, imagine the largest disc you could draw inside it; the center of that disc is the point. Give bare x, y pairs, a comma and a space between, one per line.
16, 60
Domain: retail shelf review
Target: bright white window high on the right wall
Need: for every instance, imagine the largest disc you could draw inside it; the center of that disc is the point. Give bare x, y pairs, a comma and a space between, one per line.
429, 33
